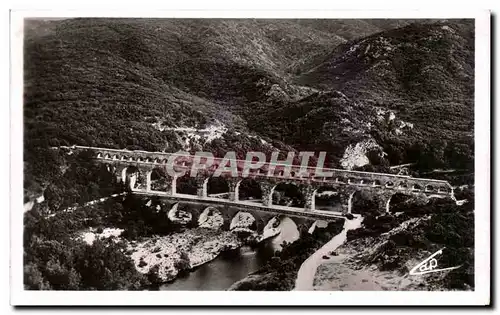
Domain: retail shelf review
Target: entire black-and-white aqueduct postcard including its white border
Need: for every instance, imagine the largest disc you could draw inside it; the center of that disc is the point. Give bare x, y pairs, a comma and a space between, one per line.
177, 155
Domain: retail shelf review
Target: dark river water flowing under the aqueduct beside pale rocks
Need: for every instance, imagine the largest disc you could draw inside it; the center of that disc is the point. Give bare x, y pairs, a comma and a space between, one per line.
231, 266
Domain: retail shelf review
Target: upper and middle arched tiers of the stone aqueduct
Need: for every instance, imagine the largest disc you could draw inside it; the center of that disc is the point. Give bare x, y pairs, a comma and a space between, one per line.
379, 186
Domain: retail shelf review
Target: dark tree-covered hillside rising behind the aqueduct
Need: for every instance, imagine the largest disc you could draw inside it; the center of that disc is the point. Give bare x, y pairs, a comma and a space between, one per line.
266, 84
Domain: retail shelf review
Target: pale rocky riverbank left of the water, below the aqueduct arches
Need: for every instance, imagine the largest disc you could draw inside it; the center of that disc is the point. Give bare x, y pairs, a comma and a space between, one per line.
163, 257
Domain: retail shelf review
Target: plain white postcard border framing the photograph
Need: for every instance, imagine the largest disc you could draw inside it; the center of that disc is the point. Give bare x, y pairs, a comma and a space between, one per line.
481, 294
